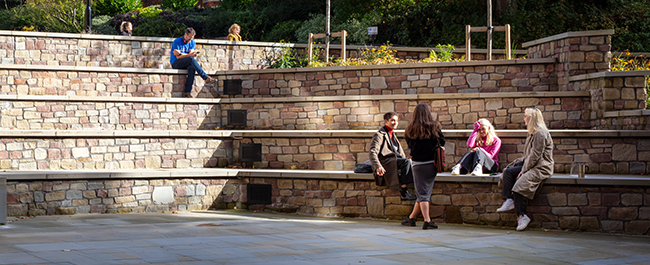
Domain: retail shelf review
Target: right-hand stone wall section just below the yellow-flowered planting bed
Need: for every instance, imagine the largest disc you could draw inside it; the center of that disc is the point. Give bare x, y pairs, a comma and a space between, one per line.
396, 80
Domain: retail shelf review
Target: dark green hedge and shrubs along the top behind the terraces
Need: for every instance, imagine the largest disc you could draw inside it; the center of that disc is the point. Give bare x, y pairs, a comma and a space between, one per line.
422, 23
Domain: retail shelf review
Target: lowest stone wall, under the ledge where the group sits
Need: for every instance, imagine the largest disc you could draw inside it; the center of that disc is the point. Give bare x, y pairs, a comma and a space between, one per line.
568, 207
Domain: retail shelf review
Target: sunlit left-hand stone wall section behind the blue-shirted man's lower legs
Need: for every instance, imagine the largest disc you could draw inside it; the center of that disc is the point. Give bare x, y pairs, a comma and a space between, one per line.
88, 82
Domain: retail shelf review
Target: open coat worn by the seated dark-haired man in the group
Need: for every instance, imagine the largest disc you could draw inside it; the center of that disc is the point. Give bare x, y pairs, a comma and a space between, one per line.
381, 154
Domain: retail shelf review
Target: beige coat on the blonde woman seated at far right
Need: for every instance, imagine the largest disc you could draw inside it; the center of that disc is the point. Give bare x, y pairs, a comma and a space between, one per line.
537, 163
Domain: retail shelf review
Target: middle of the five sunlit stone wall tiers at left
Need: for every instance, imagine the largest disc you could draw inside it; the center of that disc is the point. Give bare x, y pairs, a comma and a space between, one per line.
48, 115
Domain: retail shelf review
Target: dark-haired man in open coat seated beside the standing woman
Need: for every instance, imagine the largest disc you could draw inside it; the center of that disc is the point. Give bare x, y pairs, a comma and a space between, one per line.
389, 164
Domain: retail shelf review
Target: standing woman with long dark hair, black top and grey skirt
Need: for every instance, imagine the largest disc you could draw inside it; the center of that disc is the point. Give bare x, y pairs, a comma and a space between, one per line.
422, 136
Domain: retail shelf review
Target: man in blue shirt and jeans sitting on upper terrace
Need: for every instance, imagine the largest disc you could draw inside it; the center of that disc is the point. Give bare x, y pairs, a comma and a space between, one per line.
182, 57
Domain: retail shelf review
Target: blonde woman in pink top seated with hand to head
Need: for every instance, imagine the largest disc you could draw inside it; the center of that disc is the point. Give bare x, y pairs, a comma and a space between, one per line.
483, 155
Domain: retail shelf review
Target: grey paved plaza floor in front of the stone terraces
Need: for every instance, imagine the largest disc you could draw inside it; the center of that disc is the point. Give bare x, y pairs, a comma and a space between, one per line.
242, 237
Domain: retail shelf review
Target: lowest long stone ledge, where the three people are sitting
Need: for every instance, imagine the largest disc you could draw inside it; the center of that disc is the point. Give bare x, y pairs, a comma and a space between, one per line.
558, 179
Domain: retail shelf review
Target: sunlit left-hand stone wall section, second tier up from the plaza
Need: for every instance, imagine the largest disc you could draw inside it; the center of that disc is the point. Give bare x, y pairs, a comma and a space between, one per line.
113, 153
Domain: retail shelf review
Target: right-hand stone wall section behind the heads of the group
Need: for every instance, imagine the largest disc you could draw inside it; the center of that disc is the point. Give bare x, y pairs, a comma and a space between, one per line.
455, 113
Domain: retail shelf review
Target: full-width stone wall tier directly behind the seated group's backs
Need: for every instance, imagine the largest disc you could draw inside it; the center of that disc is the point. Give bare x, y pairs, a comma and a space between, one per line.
604, 155
